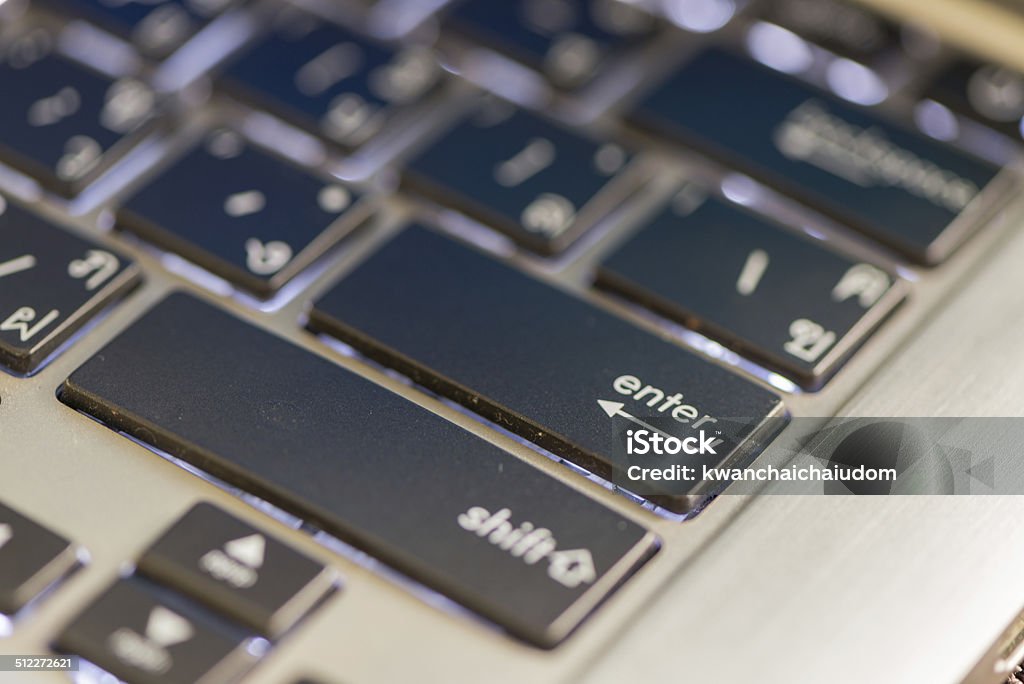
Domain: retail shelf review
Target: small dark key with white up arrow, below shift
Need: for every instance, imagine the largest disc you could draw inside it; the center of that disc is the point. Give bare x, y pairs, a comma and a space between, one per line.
242, 572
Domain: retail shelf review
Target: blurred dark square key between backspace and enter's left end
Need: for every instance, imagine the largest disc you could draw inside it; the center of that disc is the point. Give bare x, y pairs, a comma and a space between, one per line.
535, 181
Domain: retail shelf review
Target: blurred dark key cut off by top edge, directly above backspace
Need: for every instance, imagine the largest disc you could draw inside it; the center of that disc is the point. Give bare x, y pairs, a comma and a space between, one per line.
838, 26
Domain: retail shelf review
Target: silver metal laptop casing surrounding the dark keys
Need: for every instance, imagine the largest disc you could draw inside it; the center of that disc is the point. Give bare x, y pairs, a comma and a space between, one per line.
818, 589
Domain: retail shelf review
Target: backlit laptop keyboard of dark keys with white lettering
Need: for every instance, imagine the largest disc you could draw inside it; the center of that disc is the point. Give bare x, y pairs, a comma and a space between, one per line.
450, 217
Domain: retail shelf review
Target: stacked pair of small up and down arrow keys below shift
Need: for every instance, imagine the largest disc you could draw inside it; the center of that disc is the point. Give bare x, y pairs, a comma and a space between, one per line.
202, 600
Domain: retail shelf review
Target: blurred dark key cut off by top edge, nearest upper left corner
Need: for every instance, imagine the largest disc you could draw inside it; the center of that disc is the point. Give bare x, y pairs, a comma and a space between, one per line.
156, 27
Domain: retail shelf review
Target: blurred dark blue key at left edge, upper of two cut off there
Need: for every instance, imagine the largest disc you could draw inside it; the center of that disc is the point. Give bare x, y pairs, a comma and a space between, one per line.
63, 123
